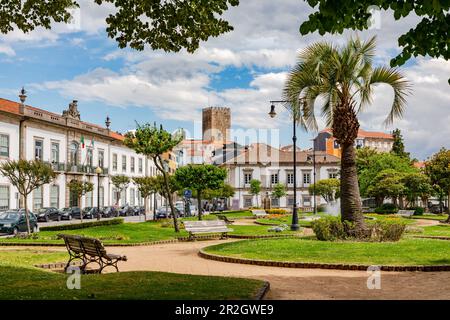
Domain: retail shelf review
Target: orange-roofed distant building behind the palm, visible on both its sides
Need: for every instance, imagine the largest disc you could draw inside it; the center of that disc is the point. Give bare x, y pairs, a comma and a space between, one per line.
379, 141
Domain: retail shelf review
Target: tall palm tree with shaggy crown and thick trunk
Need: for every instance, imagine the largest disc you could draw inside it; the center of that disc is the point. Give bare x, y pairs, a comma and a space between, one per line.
344, 78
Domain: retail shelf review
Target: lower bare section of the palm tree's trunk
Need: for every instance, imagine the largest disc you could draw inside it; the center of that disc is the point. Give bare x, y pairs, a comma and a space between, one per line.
350, 198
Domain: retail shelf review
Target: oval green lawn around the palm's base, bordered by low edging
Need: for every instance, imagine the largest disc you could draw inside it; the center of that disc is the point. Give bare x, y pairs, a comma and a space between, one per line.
404, 252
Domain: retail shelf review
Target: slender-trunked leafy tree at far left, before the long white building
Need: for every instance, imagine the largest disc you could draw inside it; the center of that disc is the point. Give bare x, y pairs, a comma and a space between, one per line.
27, 176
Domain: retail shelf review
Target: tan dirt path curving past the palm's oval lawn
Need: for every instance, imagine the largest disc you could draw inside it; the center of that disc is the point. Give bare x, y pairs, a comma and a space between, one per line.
288, 283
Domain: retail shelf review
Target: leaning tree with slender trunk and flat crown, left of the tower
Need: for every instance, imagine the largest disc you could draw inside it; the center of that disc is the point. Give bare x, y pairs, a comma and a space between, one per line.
153, 142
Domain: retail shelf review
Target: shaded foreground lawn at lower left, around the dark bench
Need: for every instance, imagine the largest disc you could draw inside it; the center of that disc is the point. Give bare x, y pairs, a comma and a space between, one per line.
19, 280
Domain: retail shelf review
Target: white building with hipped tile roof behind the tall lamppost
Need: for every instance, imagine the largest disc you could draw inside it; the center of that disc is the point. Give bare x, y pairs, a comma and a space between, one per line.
272, 166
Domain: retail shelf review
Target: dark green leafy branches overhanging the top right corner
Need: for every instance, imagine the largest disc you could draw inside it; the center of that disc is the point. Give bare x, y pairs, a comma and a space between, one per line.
428, 38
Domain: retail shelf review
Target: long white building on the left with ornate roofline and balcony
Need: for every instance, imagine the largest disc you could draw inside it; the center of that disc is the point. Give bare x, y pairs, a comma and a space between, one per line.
75, 149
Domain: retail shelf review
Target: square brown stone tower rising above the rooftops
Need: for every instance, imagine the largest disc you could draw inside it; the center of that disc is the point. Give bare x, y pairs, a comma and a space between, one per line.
216, 123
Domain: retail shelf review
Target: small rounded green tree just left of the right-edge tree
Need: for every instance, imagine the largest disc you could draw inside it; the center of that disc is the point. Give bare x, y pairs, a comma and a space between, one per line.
417, 185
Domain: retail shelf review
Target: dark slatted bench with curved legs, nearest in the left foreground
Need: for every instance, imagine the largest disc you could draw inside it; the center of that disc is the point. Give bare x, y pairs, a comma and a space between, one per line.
89, 250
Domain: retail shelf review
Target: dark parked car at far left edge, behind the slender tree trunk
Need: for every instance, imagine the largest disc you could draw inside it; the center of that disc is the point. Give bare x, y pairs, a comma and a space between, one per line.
13, 222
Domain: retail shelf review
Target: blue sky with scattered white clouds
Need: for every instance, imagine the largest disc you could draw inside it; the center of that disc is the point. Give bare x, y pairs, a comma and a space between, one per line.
243, 70
